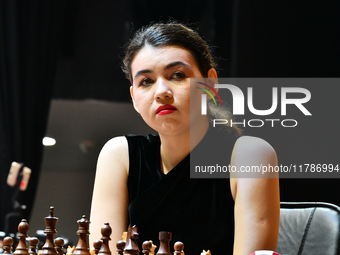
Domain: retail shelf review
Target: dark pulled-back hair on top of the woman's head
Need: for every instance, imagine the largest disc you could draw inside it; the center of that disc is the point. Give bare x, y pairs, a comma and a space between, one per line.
175, 34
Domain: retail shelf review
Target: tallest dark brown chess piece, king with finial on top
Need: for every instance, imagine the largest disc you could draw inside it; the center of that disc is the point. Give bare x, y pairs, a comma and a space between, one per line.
50, 231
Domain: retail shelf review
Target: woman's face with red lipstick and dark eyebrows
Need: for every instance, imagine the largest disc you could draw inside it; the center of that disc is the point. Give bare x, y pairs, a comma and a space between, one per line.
161, 87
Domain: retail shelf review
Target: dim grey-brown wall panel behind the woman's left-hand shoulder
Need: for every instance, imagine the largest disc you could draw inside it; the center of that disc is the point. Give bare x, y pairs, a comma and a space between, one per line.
67, 175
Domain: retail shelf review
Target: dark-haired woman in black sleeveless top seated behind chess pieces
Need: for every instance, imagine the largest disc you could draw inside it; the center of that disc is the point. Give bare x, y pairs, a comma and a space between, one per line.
145, 180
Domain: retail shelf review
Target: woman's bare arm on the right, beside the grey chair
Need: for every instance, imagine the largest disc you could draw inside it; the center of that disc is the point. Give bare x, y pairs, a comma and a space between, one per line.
257, 199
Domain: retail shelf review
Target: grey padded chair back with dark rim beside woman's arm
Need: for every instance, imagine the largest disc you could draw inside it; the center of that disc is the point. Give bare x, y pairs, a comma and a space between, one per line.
309, 228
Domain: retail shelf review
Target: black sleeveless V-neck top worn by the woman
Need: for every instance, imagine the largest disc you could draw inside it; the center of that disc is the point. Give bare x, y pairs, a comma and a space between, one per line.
198, 212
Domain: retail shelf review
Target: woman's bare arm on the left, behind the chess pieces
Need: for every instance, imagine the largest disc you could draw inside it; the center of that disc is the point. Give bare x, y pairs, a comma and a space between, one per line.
110, 193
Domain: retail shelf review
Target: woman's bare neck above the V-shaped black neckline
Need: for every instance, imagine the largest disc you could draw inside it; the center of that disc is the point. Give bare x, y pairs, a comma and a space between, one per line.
175, 148
